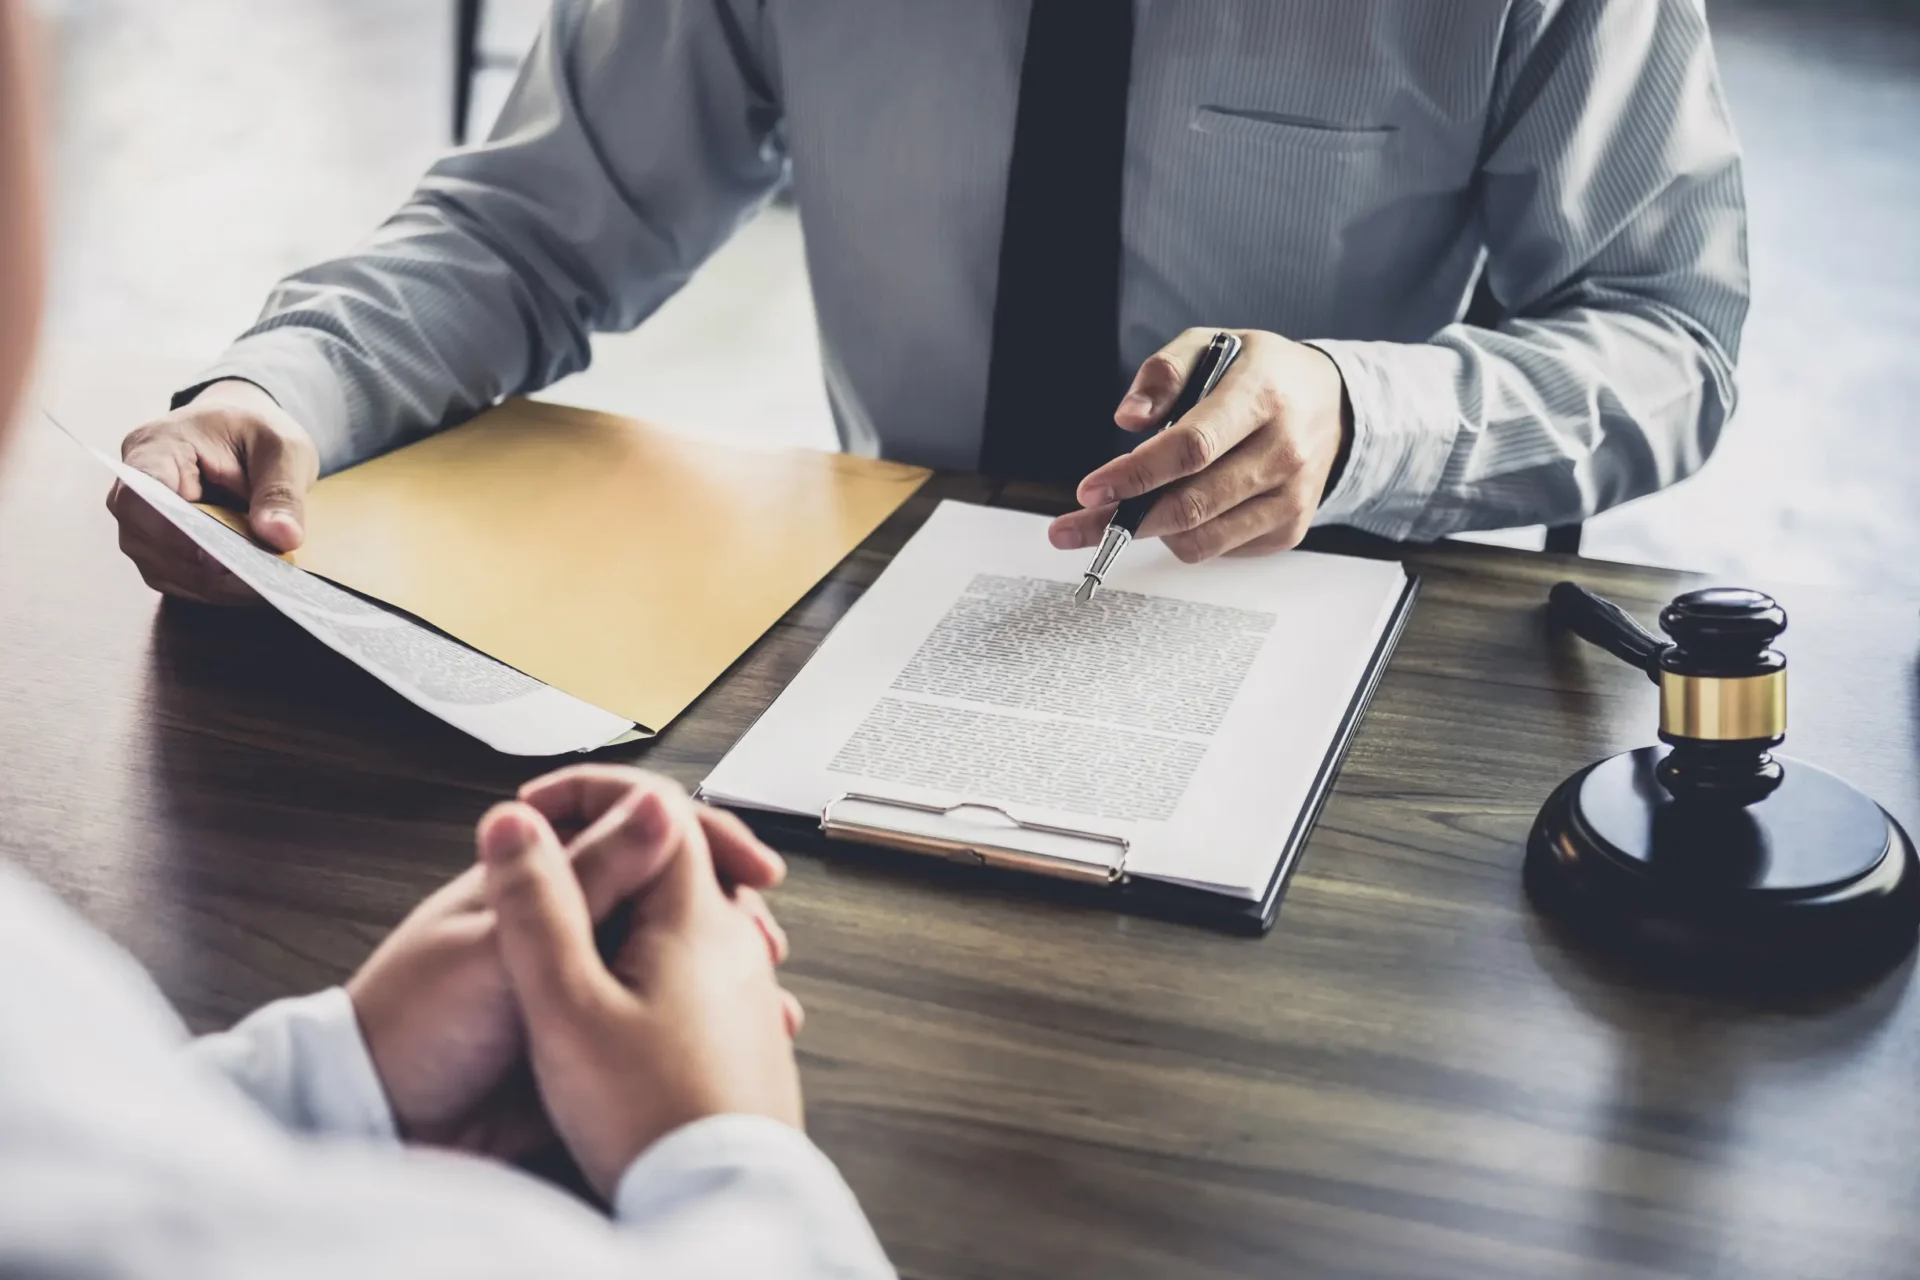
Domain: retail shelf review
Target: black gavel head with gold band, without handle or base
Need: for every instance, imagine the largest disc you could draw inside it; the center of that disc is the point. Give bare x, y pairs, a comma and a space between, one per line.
1723, 696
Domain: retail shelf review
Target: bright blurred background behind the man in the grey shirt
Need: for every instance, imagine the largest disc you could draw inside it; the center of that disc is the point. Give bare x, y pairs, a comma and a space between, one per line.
208, 147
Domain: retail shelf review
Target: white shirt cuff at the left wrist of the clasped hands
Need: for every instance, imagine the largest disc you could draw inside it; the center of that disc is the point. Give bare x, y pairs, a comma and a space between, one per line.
306, 1064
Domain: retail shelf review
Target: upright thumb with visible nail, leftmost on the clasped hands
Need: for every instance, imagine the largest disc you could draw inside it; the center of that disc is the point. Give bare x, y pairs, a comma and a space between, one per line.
546, 936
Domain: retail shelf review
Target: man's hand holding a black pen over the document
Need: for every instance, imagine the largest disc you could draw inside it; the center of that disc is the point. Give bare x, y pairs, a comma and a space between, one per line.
1245, 471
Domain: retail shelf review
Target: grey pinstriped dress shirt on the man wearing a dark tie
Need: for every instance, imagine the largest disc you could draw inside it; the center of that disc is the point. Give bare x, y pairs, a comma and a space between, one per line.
1339, 172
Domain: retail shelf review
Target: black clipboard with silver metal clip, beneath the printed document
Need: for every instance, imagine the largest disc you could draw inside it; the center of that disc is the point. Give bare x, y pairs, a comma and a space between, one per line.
963, 861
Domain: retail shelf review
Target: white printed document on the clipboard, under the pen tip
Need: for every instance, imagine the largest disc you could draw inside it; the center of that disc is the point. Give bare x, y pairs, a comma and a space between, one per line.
1186, 711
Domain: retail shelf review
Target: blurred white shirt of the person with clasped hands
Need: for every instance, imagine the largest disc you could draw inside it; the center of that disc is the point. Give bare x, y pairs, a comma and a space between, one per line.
270, 1152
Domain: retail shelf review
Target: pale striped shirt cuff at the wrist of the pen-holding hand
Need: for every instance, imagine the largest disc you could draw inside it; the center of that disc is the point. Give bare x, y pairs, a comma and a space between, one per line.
1406, 415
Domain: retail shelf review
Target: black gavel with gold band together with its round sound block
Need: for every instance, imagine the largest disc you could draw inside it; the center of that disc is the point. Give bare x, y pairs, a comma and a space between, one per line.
1714, 849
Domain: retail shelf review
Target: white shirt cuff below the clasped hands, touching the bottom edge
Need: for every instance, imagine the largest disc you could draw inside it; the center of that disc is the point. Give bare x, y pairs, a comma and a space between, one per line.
754, 1191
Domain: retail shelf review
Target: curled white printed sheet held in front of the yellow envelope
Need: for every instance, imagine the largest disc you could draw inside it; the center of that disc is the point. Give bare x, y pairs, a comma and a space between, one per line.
502, 707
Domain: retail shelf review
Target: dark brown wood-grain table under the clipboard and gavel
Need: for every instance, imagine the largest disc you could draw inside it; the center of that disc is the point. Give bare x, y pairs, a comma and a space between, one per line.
1412, 1076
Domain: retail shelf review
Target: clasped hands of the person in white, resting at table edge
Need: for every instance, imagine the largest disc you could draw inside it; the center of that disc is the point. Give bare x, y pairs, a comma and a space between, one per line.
496, 1018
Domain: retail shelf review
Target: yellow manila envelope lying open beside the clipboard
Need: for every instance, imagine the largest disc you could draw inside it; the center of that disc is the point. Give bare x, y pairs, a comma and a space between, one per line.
615, 561
